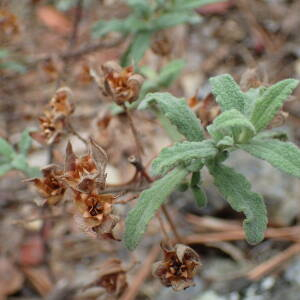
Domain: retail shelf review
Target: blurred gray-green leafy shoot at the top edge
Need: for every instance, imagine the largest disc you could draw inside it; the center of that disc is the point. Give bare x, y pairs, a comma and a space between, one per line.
146, 18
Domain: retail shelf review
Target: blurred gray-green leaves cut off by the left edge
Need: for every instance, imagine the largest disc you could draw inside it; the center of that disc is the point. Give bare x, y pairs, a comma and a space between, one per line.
11, 159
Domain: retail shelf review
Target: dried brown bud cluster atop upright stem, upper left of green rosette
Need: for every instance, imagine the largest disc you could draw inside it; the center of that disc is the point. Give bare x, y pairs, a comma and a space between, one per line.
120, 85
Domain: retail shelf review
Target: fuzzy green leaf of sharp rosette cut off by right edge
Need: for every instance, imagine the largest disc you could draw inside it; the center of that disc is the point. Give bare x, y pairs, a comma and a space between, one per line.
282, 155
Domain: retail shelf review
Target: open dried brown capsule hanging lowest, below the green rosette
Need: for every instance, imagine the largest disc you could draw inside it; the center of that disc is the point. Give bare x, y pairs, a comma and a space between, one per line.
178, 267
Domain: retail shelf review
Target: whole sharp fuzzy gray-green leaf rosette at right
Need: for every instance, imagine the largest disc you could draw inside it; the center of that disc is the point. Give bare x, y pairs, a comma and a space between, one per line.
244, 115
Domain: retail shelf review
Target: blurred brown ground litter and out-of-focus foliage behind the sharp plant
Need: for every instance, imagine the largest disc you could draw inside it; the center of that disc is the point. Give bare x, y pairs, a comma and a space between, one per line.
46, 44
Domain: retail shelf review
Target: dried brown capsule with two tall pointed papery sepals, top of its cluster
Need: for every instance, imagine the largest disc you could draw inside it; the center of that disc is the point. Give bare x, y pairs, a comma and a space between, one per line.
87, 173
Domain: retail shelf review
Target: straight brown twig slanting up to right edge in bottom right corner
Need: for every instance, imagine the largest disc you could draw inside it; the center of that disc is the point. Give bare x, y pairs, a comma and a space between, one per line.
274, 262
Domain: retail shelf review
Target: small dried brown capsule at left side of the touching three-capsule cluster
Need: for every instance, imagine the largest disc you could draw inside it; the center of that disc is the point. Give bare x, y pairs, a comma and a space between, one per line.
50, 187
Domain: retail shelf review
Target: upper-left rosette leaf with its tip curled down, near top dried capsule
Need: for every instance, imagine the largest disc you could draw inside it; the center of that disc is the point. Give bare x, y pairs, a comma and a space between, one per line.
179, 114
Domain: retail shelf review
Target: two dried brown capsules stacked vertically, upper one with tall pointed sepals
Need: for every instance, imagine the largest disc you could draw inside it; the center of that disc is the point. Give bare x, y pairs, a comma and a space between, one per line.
86, 177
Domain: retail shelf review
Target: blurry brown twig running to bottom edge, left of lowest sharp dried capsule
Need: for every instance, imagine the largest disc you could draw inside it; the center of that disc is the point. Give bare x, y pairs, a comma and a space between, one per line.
141, 275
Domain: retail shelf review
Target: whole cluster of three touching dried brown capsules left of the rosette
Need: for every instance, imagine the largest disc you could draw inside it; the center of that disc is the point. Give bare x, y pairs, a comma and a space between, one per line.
85, 176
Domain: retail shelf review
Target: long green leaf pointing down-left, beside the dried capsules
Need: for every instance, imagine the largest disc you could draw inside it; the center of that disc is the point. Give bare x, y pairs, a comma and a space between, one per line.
149, 202
